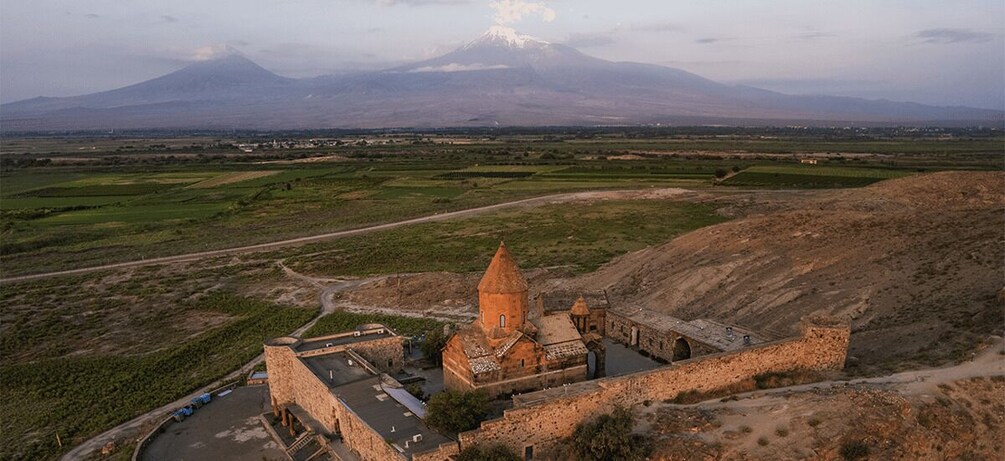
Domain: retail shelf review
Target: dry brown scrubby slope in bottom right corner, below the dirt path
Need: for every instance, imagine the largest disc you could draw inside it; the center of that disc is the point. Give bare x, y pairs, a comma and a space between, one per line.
959, 420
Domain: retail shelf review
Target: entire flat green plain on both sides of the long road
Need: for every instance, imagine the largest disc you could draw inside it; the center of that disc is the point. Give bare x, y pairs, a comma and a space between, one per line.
100, 349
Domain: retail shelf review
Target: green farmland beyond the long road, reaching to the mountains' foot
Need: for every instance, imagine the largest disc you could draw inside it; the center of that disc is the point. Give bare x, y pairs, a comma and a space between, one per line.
95, 201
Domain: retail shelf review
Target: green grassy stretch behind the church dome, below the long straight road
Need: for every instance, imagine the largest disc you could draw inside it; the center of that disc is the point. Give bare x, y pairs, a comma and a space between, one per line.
582, 237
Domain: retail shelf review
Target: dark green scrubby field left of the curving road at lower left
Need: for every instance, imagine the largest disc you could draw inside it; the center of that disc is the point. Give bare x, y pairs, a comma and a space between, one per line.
79, 397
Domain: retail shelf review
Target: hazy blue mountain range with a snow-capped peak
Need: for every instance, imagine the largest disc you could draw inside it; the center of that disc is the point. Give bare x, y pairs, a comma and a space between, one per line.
502, 79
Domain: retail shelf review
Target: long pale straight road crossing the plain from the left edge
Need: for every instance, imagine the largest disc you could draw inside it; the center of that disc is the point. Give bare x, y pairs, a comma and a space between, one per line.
302, 241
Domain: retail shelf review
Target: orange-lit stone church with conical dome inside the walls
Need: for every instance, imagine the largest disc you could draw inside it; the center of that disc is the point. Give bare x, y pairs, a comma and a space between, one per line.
511, 349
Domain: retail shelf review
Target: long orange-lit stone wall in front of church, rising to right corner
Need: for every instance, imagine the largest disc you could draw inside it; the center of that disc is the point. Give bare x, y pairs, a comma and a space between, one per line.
540, 420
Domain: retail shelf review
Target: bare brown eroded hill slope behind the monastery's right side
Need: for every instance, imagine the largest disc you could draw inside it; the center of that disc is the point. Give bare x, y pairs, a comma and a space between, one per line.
916, 264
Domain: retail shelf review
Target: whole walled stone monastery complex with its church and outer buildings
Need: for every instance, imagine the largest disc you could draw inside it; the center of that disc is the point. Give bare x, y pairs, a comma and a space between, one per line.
337, 397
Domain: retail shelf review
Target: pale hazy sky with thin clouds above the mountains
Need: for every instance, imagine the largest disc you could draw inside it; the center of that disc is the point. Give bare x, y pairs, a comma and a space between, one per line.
941, 53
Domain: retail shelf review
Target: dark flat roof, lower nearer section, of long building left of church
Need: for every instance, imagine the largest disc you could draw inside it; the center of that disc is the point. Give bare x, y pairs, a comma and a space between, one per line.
392, 420
